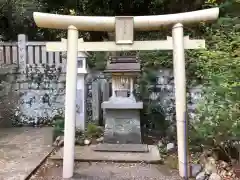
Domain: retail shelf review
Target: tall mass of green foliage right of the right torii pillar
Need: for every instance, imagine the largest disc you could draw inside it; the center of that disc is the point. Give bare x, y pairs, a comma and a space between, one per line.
218, 113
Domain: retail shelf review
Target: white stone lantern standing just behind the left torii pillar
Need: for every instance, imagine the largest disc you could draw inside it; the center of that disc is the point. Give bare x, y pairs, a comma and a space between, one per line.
82, 70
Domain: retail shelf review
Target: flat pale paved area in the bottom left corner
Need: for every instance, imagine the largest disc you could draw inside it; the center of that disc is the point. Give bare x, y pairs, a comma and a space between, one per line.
22, 149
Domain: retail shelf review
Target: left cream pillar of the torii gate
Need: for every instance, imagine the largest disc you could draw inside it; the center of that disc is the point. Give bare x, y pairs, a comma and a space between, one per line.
70, 102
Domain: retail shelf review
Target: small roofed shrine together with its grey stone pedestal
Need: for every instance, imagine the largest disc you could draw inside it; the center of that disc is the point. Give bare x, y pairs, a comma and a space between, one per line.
122, 124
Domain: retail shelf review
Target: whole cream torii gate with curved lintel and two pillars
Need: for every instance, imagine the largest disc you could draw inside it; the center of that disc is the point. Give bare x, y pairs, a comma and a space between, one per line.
124, 28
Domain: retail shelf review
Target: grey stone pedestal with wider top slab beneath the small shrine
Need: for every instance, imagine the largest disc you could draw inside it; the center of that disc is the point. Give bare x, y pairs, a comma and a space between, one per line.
122, 124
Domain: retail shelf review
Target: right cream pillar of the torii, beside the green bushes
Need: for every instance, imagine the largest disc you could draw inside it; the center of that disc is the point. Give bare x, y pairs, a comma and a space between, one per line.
180, 98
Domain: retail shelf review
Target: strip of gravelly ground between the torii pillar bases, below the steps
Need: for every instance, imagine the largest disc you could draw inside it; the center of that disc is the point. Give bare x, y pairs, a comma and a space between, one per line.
107, 171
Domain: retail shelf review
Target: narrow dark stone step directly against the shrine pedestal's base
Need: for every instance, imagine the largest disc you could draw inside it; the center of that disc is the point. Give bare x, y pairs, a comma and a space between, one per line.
121, 148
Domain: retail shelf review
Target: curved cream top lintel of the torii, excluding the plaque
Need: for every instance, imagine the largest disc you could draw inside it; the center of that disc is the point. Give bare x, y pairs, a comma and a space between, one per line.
104, 23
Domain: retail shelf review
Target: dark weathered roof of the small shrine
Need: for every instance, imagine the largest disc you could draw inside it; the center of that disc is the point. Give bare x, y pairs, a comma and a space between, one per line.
123, 64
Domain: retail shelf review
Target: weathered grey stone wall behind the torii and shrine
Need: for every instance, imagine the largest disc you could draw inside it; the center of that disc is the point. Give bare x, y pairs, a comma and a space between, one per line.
41, 92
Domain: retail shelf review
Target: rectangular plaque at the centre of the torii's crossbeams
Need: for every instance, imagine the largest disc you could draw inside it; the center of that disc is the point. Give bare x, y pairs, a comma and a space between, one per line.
124, 29
